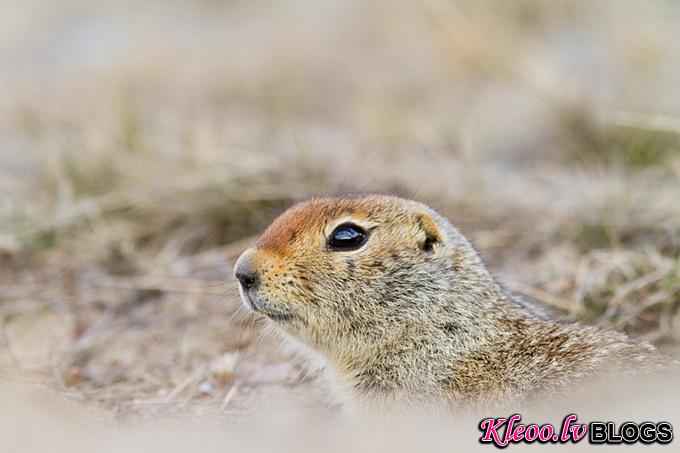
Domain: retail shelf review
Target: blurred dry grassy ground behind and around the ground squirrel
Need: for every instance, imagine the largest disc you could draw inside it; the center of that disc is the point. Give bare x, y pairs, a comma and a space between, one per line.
143, 145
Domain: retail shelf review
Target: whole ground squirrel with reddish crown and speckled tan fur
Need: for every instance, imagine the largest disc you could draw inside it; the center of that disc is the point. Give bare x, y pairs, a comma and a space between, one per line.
400, 306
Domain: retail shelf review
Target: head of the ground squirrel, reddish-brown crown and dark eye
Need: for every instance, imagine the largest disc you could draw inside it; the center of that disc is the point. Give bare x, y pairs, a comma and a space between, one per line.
339, 274
